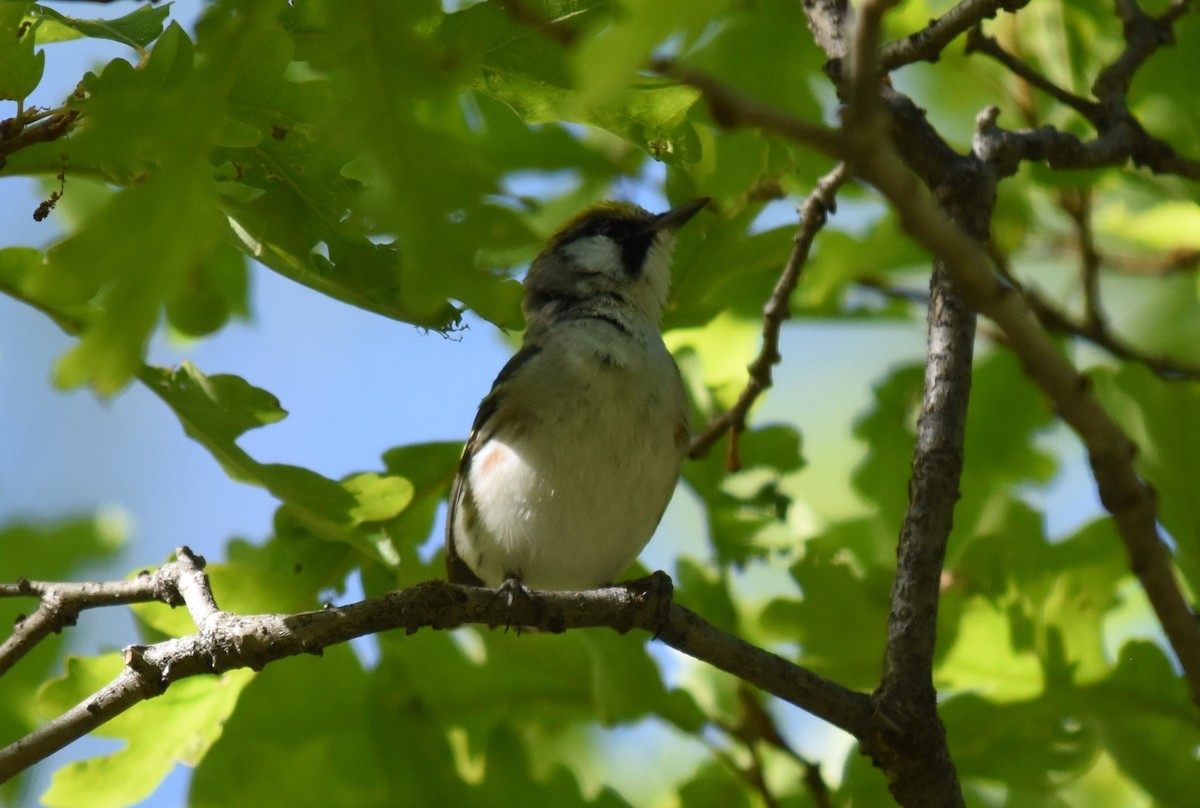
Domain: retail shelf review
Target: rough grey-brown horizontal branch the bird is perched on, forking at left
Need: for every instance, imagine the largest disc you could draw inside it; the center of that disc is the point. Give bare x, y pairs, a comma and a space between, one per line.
225, 642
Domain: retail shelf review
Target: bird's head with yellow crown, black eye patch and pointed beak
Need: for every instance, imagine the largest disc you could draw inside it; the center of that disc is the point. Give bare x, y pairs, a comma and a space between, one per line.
613, 252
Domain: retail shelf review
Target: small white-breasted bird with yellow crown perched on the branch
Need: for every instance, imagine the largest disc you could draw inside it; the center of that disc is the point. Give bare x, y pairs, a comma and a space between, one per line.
575, 452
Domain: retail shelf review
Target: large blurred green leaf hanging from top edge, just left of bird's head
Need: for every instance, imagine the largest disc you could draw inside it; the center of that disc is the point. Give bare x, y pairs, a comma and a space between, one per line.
423, 193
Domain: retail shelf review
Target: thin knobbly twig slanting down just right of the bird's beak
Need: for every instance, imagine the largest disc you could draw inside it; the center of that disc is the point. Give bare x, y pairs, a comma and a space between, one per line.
814, 212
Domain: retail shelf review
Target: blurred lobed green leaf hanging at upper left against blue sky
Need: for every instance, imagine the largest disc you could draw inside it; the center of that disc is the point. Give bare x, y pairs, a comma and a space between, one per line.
128, 279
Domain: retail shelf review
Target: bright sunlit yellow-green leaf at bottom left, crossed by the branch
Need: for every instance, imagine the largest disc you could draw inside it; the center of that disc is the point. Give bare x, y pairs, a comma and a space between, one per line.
178, 727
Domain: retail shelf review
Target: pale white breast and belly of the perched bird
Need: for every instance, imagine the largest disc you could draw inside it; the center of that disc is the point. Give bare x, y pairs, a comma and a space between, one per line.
569, 493
